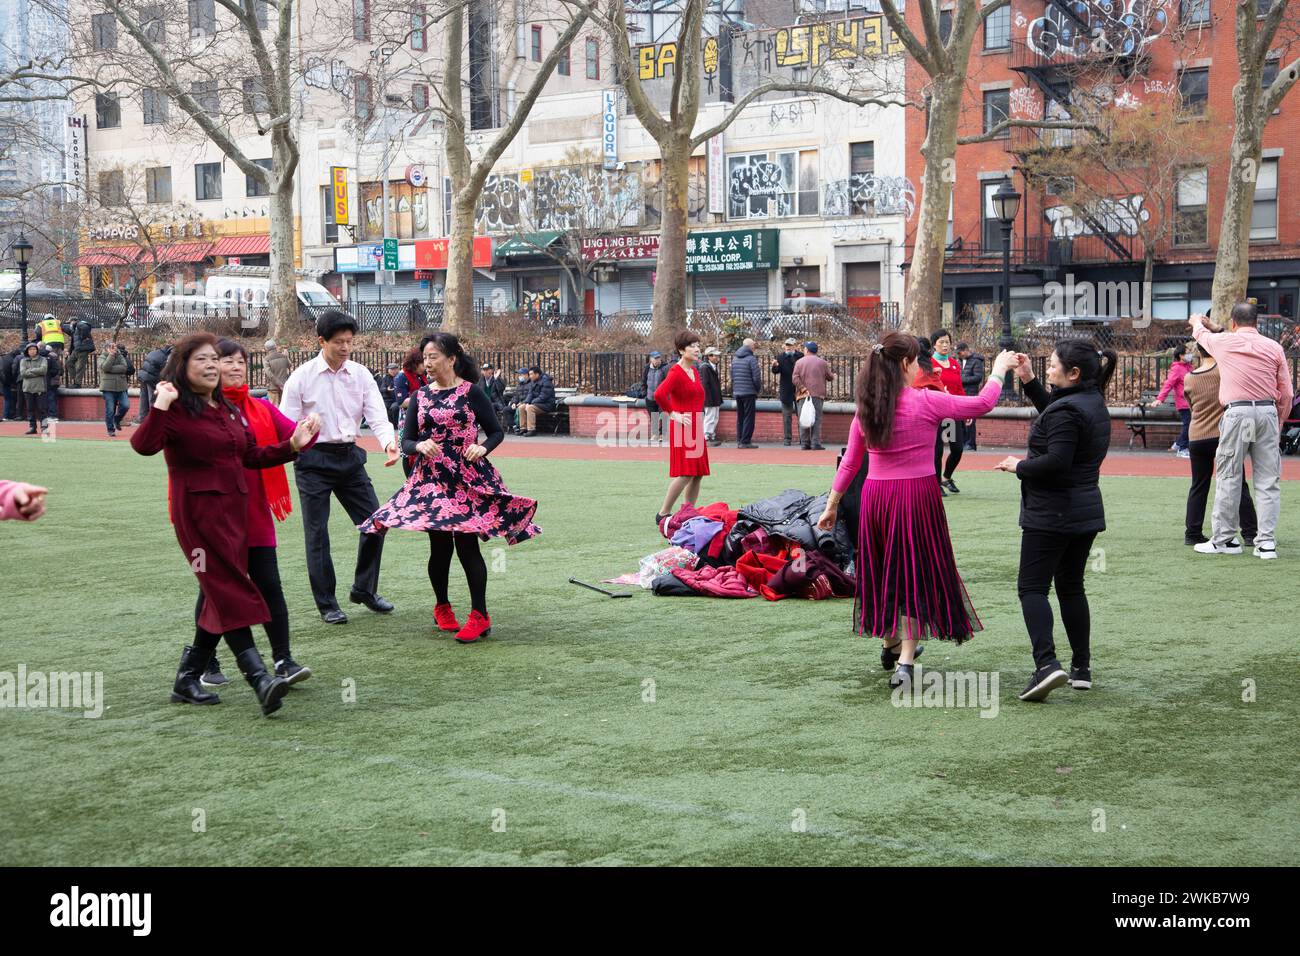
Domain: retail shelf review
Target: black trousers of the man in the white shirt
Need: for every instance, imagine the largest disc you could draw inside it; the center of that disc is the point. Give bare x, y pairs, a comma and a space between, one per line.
340, 471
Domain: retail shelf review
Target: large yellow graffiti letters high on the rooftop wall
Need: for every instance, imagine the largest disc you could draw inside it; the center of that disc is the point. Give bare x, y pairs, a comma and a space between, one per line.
811, 45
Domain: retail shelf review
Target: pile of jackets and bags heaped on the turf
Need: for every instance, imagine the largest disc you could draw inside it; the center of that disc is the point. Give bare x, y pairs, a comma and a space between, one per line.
772, 548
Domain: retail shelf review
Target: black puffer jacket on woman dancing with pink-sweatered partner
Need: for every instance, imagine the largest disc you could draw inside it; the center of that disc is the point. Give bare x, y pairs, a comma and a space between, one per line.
1068, 443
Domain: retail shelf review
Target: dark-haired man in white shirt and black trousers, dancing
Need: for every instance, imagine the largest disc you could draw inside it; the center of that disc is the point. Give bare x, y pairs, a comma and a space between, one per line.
341, 393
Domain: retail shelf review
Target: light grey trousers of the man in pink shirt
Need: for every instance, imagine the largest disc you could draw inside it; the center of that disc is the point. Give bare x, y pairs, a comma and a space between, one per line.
1255, 432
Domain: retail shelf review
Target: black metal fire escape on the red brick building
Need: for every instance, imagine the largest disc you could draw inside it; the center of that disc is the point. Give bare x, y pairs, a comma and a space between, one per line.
1072, 41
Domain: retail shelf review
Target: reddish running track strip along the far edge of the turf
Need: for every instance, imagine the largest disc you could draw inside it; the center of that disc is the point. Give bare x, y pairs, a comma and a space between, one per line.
1119, 462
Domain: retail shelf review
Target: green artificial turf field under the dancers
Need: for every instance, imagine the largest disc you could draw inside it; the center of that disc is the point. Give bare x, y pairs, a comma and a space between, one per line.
770, 738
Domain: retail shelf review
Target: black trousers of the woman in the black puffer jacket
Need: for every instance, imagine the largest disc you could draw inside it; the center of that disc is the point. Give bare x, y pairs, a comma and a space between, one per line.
1046, 559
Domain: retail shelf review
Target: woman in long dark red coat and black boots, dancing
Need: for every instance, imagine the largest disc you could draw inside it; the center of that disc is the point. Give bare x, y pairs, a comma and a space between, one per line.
207, 448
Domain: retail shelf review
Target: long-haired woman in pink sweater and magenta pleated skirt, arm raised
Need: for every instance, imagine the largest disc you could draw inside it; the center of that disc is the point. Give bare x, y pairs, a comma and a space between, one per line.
908, 582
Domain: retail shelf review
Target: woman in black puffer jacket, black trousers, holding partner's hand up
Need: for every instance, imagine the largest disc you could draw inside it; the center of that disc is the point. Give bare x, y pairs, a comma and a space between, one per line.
1061, 511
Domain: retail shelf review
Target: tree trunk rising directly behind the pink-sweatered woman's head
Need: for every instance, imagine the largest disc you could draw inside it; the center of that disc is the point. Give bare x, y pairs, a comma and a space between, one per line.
926, 275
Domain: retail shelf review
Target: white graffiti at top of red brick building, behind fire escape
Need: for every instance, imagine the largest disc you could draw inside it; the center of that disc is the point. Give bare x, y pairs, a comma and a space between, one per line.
1119, 27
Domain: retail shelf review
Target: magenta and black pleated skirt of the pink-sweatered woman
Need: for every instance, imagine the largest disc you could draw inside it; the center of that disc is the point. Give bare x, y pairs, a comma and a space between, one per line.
908, 582
